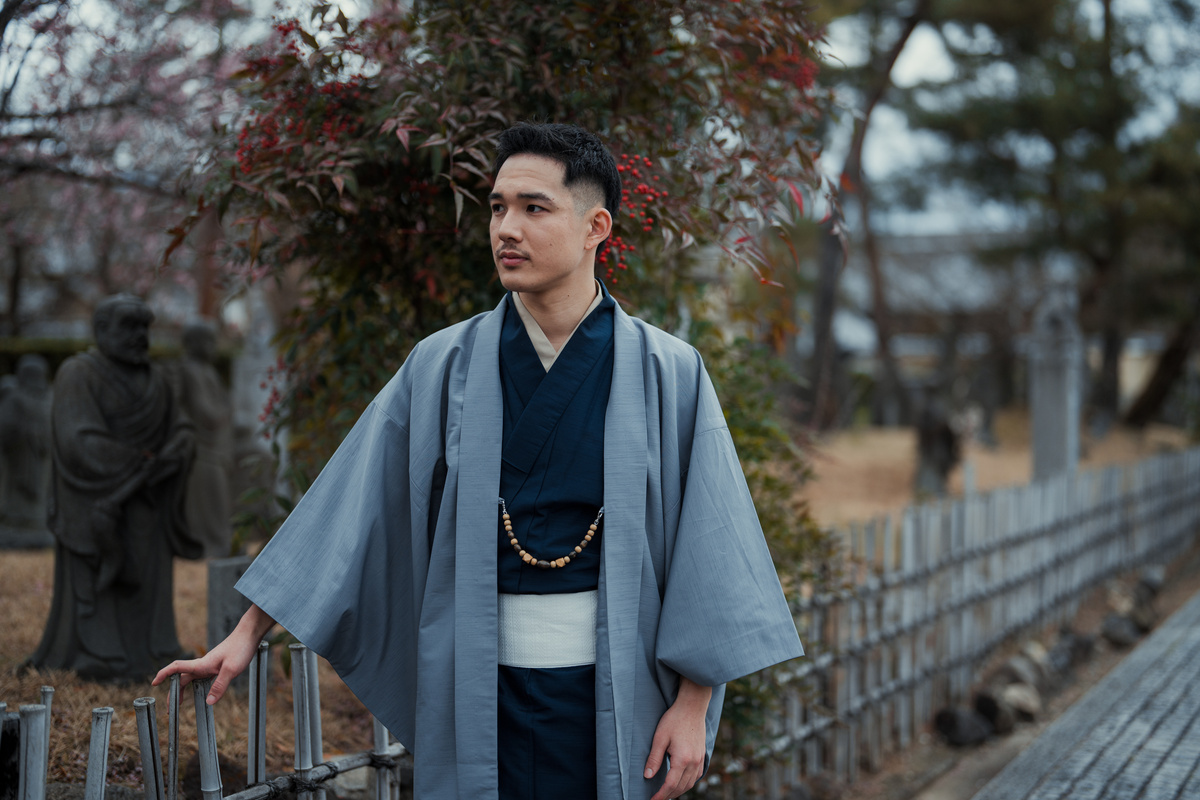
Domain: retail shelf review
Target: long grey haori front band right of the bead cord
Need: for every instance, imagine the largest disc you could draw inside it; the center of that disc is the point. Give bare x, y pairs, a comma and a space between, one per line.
625, 543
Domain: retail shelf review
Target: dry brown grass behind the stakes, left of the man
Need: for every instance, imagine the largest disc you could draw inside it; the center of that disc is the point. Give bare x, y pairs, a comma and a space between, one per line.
26, 592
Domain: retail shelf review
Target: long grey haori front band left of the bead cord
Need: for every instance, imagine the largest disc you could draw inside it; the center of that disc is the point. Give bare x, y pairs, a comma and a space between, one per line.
476, 613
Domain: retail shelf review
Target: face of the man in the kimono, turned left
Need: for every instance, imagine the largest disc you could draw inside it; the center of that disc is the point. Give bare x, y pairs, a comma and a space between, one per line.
542, 238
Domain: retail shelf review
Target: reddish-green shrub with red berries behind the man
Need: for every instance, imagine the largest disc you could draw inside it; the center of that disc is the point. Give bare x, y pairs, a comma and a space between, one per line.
358, 170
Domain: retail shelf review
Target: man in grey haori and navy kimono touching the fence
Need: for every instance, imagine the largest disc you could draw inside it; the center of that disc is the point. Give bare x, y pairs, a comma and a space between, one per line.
547, 508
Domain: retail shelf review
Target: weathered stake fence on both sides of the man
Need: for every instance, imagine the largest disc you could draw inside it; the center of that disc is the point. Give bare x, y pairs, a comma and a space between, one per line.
931, 598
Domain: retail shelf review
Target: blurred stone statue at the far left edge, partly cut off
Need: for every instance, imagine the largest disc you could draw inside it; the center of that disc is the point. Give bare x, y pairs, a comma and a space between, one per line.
26, 448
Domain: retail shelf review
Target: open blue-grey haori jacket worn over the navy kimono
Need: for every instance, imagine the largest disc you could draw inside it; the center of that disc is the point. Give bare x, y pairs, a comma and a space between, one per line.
387, 568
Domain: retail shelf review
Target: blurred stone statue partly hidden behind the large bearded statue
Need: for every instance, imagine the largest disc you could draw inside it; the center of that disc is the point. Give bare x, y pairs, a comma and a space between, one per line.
205, 400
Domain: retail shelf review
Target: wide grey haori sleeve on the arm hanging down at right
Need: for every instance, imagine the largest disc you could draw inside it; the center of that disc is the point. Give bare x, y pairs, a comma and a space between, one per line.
724, 613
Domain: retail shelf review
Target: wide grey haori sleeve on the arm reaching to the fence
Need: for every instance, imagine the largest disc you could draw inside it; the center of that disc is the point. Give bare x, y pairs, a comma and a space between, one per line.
346, 573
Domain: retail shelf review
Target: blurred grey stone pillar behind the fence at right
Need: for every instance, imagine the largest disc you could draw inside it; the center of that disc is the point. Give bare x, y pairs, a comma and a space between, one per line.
1057, 364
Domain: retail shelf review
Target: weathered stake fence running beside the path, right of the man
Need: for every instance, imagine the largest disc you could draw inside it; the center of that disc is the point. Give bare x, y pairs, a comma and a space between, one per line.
935, 593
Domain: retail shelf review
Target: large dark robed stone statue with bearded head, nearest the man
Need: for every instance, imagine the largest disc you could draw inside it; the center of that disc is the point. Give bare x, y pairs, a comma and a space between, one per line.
122, 456
